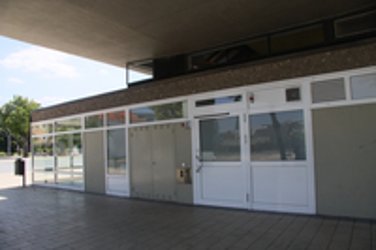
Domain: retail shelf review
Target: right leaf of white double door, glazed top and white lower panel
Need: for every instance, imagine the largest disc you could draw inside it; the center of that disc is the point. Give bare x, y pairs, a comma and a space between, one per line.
282, 174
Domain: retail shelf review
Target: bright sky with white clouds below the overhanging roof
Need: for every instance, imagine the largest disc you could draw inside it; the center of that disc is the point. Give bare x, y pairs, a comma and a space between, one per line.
50, 77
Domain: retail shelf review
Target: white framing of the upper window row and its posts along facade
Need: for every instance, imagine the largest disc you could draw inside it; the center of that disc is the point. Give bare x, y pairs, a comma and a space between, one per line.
304, 83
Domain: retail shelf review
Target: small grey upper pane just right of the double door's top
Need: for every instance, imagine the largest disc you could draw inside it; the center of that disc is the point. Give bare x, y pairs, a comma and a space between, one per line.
328, 90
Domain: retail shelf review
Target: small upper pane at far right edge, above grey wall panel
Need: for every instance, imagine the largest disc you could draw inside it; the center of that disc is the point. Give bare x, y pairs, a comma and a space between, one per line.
363, 86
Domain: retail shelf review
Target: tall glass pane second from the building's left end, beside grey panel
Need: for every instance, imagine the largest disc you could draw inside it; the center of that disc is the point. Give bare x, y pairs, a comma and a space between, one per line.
69, 159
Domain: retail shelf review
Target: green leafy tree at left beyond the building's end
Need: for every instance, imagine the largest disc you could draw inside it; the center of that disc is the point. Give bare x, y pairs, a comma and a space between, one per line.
15, 120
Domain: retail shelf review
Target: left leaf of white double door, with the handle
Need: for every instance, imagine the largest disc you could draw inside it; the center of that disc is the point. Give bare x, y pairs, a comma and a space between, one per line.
220, 168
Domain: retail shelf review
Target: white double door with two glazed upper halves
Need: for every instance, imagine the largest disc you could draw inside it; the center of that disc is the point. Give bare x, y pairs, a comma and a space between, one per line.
274, 174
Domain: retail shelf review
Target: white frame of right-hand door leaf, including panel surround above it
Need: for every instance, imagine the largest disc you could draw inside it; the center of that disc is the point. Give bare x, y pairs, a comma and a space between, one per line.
273, 103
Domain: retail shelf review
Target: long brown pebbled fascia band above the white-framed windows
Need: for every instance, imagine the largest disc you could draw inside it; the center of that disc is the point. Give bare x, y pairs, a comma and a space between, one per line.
297, 65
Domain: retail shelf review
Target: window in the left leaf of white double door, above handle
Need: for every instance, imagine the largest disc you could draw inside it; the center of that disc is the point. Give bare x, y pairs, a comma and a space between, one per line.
219, 139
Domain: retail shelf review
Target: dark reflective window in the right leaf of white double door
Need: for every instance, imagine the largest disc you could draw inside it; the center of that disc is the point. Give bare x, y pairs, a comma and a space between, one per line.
277, 136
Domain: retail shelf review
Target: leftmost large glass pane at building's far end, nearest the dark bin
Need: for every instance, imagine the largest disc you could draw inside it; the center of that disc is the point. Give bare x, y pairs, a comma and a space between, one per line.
43, 159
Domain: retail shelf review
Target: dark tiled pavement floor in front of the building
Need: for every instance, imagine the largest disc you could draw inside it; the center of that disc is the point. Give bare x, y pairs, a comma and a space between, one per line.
41, 218
